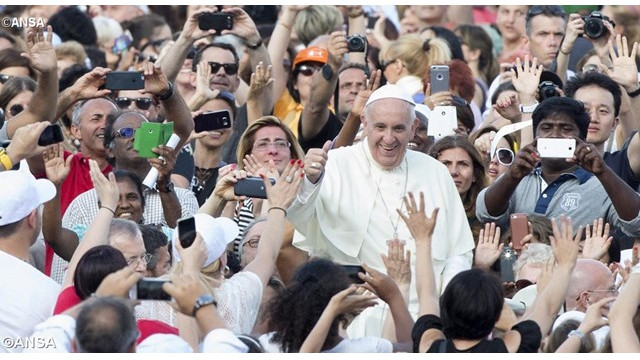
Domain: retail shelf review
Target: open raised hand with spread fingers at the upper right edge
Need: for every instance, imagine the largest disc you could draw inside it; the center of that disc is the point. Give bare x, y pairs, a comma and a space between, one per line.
625, 70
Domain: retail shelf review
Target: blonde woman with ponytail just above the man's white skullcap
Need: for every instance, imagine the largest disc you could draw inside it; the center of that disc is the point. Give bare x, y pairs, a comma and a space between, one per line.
405, 61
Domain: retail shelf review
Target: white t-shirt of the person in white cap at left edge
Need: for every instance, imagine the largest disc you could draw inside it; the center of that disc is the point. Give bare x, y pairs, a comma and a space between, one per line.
27, 298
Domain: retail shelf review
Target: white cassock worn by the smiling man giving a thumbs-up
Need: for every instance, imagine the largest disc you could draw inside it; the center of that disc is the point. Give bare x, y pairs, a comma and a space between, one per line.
350, 214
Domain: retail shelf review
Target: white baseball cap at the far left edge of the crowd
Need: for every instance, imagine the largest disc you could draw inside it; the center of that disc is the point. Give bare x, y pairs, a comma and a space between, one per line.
21, 193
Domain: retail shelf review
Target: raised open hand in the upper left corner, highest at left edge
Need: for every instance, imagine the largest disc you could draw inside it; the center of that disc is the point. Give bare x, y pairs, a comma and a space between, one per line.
40, 52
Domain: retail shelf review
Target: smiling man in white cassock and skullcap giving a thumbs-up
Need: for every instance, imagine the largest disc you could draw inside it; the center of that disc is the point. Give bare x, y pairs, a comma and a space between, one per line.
346, 210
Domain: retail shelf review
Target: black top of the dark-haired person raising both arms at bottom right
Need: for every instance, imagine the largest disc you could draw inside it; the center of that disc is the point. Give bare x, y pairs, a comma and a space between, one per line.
530, 338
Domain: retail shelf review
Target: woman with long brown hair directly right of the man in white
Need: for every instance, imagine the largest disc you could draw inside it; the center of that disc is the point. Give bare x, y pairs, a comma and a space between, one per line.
467, 170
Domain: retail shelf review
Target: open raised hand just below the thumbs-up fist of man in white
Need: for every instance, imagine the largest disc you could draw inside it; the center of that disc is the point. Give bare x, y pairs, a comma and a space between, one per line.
286, 188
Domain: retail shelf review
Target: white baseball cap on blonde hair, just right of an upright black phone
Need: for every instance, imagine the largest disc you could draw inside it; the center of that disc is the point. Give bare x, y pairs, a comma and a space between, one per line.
217, 233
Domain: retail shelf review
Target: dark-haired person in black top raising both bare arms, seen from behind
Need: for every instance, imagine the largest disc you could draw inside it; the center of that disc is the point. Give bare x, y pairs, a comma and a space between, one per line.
464, 316
